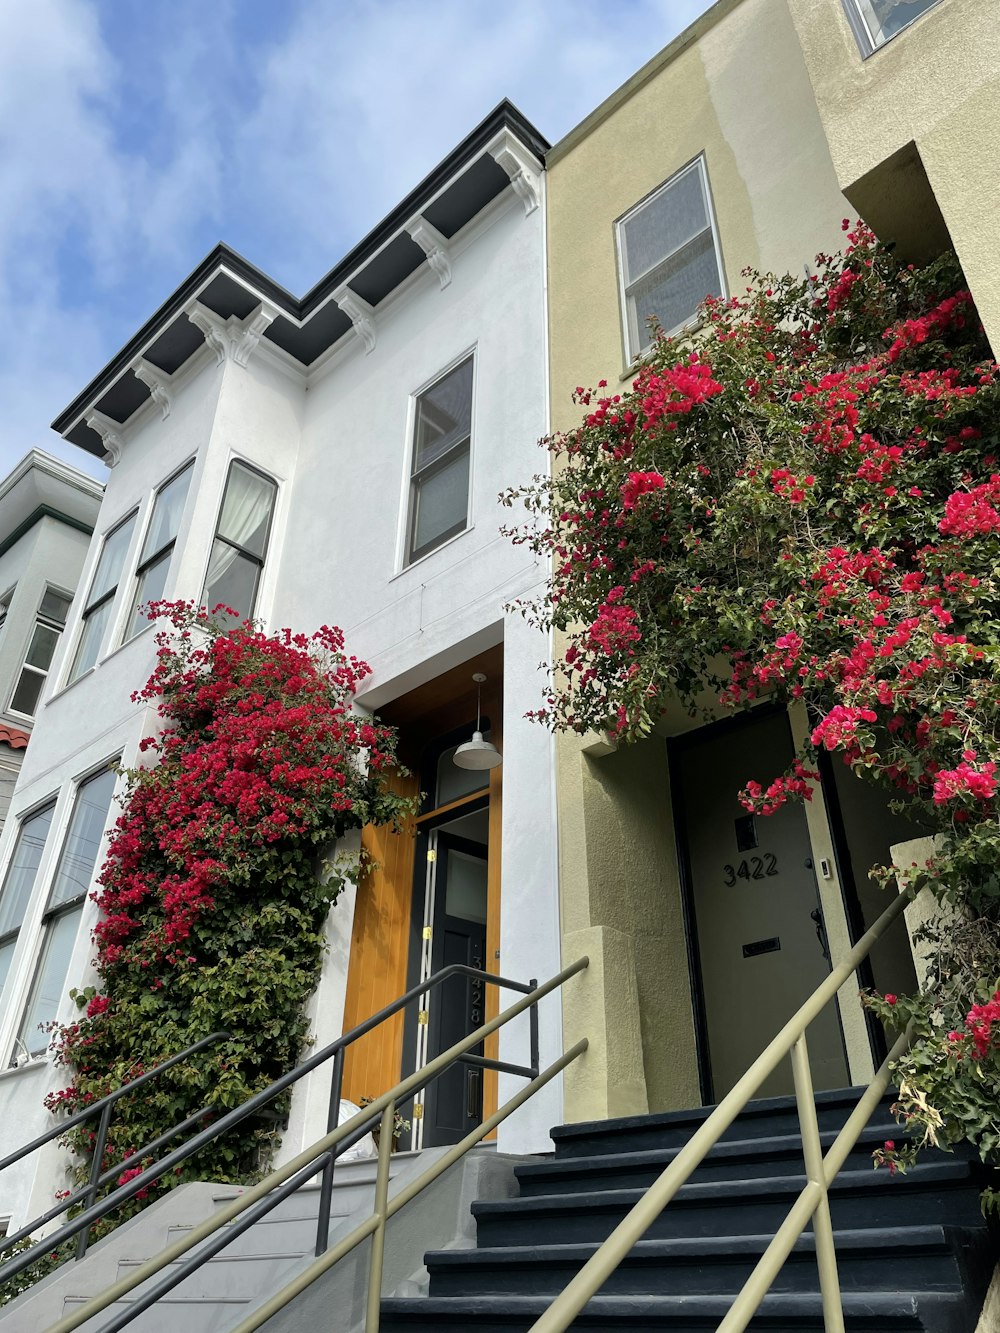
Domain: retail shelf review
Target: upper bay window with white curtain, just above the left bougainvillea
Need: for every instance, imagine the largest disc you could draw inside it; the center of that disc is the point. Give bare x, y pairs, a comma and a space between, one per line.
241, 541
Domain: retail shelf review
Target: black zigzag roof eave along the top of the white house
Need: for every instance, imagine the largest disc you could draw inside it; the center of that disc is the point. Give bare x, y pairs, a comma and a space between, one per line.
506, 117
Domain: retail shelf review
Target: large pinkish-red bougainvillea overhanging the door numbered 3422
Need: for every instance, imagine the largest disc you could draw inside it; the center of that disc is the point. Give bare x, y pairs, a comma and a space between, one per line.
803, 503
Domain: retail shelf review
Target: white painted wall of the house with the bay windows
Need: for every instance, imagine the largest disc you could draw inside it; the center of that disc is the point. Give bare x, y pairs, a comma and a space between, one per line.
338, 445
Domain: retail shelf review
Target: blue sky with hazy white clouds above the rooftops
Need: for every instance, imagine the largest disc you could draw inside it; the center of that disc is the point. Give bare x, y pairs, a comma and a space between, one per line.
138, 134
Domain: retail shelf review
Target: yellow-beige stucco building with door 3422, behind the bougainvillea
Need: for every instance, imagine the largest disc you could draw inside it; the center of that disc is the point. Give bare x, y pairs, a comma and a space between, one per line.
745, 143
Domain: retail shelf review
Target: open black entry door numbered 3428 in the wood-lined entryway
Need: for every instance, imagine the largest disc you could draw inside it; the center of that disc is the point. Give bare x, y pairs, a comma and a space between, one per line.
454, 1103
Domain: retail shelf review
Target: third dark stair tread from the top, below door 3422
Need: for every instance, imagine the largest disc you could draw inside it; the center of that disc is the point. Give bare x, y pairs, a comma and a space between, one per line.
733, 1194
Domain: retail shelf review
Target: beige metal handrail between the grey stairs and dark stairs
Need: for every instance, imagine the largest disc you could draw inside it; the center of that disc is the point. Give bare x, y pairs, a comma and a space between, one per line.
310, 1162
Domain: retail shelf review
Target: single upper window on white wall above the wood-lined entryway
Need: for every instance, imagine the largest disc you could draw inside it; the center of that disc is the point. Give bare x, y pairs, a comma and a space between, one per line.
439, 478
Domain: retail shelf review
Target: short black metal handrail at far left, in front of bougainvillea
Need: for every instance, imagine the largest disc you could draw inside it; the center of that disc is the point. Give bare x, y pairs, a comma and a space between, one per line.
103, 1107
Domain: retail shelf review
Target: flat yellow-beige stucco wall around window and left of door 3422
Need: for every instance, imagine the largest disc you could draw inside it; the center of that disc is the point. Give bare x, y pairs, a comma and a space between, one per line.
737, 90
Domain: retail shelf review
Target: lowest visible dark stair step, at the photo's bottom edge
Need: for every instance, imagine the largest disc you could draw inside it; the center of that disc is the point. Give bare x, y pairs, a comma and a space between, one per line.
874, 1312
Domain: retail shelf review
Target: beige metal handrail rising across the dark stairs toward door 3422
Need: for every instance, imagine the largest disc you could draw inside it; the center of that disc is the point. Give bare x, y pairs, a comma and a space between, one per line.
811, 1204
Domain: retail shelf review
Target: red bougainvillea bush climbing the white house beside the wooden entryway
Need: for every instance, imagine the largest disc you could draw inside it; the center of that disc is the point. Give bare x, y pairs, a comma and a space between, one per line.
214, 895
